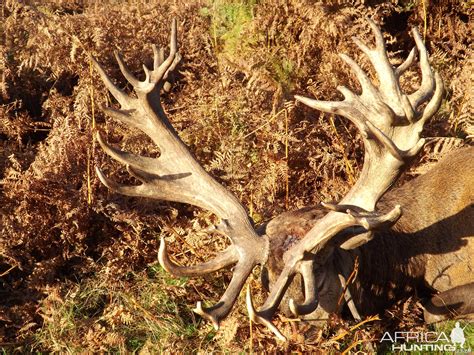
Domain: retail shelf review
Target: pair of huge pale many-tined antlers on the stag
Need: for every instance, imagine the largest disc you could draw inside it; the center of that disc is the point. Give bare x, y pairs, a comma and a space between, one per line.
390, 123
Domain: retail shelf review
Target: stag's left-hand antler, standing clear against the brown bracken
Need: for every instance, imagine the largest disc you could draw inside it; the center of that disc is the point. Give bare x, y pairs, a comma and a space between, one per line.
176, 176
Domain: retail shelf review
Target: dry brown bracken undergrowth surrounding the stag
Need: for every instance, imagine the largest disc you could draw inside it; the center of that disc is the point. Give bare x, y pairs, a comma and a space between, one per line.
78, 264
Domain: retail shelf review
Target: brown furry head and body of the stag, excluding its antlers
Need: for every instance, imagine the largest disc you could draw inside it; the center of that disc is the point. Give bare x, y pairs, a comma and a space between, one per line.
428, 251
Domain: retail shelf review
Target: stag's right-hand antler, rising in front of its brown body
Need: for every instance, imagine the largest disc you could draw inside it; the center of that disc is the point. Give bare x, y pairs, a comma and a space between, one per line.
390, 123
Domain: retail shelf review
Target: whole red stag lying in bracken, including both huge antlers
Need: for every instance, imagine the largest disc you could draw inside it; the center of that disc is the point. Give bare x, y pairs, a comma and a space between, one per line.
416, 238
